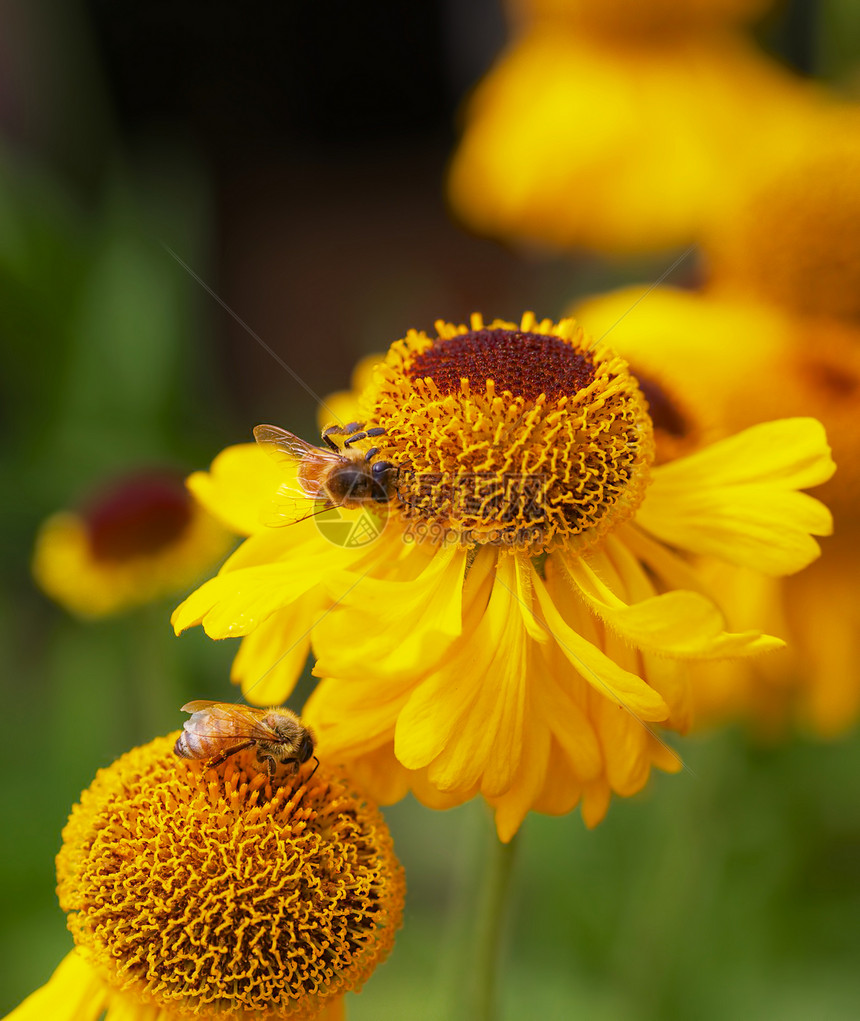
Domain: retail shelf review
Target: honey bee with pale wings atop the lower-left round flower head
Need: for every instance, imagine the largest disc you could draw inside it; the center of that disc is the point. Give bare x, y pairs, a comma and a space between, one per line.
218, 731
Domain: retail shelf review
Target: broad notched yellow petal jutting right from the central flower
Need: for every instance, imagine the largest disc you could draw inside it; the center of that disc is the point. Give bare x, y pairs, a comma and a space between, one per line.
738, 500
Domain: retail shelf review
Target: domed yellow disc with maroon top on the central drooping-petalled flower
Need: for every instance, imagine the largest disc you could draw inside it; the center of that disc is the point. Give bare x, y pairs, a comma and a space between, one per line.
529, 436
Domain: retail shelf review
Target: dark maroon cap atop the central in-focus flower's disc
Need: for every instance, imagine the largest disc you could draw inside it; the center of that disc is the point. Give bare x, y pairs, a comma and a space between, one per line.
524, 364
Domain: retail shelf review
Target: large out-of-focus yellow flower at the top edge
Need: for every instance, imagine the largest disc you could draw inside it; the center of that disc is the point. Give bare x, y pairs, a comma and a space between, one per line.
618, 127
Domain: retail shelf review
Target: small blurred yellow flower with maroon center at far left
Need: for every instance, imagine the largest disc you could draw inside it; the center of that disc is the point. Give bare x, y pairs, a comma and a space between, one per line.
142, 539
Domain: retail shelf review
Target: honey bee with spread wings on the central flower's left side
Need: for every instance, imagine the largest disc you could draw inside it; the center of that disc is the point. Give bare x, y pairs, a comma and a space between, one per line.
337, 476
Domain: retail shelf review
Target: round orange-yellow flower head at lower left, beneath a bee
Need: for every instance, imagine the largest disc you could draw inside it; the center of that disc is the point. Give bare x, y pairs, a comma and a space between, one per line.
216, 894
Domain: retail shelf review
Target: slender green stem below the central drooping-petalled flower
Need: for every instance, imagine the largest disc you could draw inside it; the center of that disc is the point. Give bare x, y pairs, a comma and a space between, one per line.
489, 930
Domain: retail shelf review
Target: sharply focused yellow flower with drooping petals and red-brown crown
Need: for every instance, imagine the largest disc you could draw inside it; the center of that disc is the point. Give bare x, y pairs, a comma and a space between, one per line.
521, 622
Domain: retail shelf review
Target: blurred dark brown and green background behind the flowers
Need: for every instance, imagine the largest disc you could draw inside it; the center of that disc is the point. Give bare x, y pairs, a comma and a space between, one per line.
293, 156
